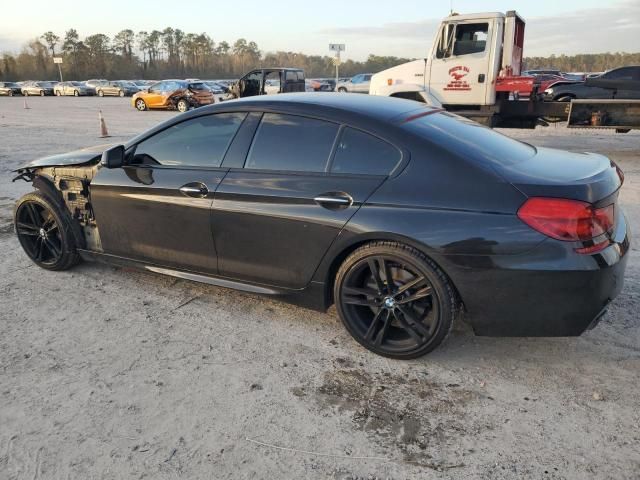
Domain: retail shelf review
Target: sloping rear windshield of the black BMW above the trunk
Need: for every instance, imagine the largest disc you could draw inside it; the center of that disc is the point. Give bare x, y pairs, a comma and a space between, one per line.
470, 139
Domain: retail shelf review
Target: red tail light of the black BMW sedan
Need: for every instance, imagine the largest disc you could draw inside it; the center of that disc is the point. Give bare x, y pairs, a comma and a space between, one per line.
569, 220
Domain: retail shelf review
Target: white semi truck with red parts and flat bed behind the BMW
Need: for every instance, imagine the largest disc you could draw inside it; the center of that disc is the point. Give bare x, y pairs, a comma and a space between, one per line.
474, 69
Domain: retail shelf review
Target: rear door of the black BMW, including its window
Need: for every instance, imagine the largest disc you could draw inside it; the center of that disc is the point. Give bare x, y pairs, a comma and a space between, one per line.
274, 219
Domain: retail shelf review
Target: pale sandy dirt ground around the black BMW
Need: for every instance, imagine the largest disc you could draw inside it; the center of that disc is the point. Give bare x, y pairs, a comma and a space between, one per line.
115, 374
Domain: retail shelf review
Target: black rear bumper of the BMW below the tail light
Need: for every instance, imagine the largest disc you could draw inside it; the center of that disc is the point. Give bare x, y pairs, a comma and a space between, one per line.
549, 292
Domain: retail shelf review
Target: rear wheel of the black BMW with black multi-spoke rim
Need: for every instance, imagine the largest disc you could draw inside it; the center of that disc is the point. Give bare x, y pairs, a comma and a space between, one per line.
404, 321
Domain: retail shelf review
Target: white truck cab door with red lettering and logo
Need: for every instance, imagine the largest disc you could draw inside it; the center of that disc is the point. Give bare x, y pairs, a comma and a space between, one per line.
459, 72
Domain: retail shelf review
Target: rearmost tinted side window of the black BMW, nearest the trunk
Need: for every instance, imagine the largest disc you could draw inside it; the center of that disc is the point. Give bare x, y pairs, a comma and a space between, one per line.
361, 153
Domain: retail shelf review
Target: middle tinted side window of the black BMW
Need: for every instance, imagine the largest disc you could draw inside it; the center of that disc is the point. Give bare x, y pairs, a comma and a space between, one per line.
288, 142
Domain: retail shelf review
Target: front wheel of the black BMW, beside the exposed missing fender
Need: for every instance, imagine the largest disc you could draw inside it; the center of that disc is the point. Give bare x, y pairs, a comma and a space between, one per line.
45, 232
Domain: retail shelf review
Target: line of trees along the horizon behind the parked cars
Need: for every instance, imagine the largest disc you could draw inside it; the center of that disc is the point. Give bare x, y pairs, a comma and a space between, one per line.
174, 53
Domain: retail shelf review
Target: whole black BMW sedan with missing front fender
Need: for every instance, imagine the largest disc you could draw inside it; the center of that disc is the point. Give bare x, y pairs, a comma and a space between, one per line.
401, 215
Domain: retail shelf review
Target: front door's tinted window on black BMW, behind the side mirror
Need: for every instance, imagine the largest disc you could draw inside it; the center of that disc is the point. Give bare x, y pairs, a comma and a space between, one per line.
199, 142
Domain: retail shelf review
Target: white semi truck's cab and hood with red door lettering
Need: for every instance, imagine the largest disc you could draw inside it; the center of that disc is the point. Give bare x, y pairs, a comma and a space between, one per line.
462, 67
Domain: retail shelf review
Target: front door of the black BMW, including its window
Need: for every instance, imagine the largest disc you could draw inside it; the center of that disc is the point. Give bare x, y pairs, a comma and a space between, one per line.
156, 208
